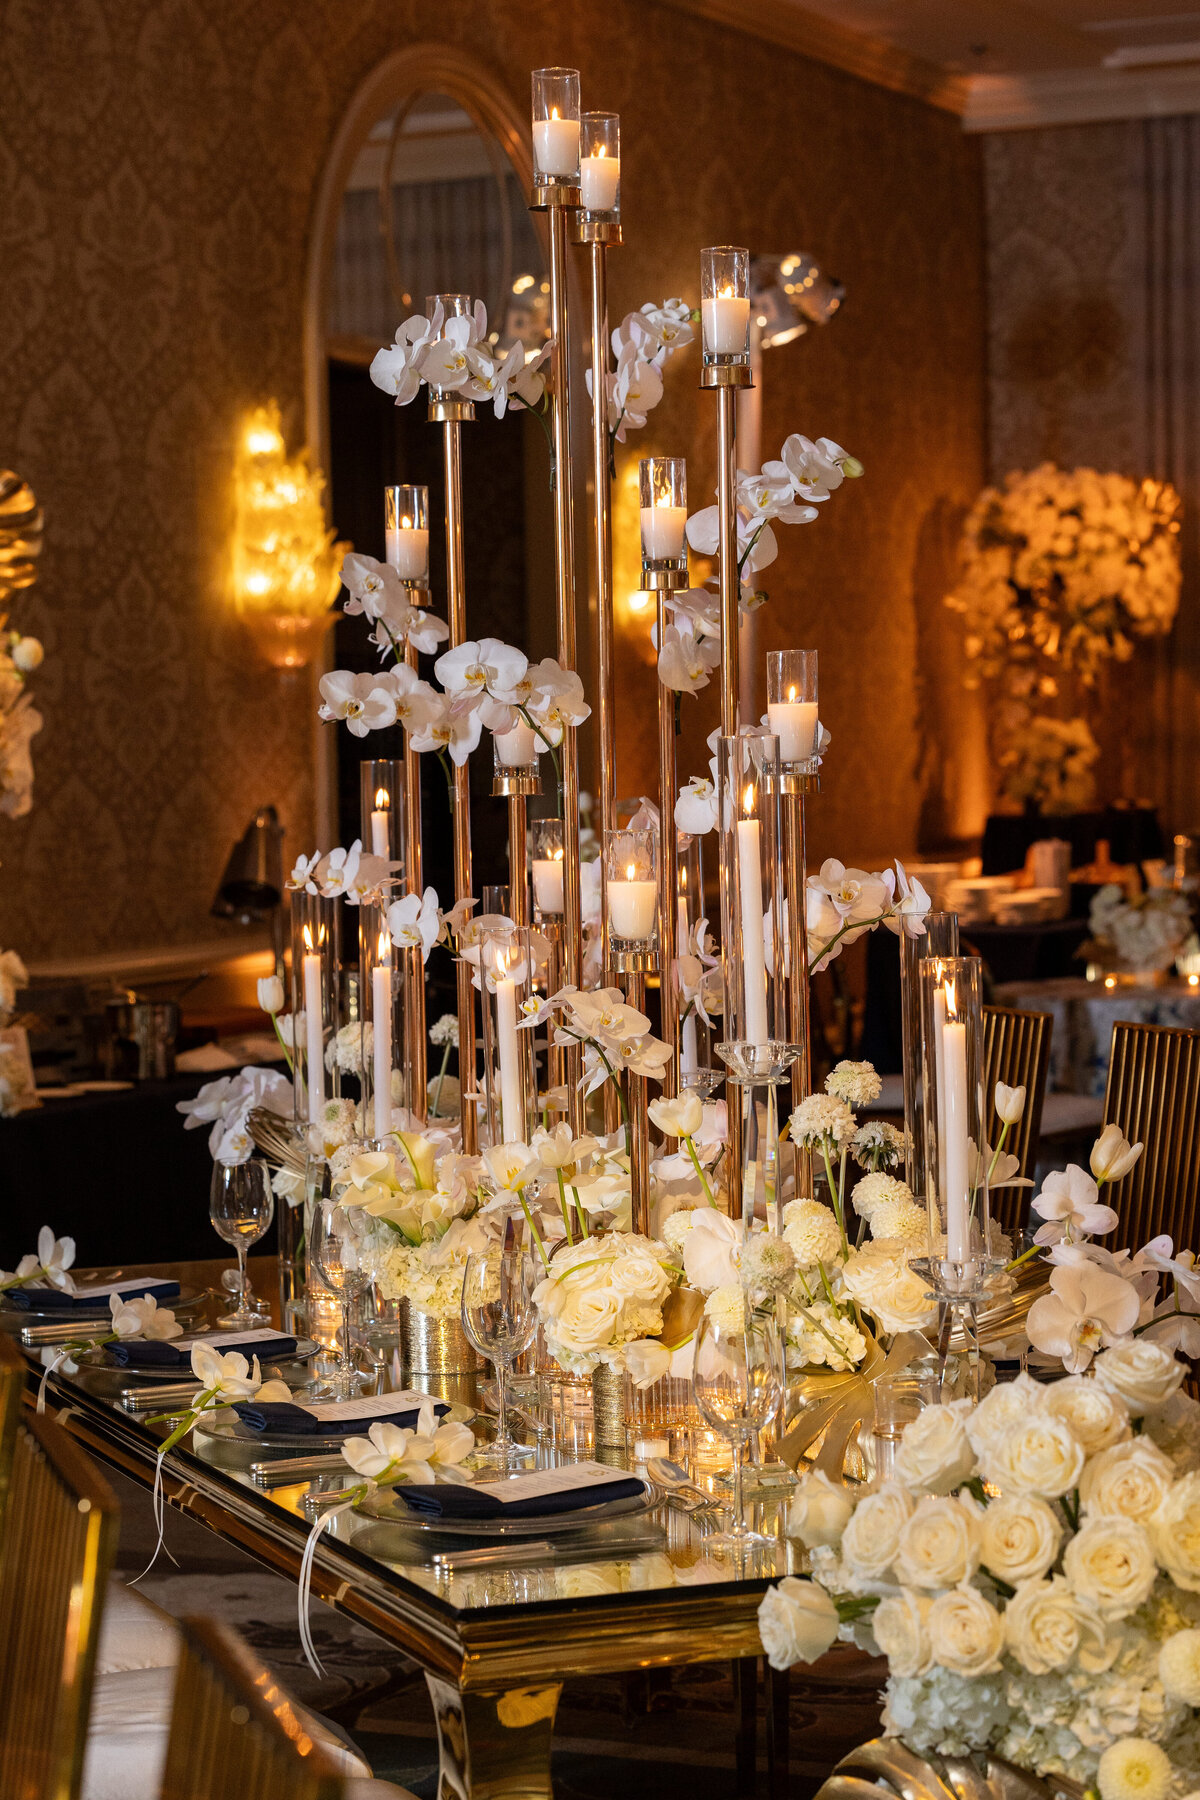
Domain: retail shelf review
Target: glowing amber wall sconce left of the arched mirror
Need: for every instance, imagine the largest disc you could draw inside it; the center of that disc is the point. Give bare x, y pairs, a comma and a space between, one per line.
285, 564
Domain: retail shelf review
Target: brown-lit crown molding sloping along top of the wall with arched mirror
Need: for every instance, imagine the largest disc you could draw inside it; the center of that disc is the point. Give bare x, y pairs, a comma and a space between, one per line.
872, 60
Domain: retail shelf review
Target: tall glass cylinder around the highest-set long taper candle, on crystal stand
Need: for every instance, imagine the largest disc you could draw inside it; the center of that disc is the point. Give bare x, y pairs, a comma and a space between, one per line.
753, 946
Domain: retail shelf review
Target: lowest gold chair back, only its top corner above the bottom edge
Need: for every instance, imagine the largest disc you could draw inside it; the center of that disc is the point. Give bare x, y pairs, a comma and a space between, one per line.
237, 1732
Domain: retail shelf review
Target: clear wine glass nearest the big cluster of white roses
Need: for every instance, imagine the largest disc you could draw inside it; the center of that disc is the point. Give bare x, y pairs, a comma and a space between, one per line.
739, 1385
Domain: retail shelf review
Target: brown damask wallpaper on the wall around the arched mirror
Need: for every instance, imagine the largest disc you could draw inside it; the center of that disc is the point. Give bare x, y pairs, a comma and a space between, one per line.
157, 170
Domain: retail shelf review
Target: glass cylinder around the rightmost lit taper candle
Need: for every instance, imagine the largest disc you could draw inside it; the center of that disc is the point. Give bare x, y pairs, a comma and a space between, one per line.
956, 1174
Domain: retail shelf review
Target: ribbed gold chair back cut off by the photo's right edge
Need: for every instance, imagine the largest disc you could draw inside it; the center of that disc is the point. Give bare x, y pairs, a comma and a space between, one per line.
1154, 1095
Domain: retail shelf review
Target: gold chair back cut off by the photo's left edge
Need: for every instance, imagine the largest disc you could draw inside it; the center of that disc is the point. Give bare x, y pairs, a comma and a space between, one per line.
55, 1558
